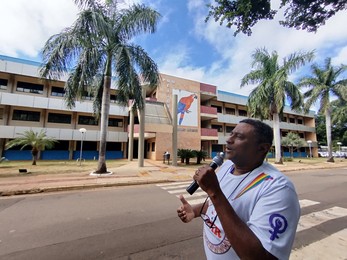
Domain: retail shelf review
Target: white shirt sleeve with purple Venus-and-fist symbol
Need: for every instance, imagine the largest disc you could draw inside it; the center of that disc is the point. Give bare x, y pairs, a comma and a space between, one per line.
274, 219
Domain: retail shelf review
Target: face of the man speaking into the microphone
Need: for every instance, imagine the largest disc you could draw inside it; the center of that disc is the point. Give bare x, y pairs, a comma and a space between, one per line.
242, 146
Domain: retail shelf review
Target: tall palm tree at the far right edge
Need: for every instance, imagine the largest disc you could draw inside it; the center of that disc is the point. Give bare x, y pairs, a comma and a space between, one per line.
322, 86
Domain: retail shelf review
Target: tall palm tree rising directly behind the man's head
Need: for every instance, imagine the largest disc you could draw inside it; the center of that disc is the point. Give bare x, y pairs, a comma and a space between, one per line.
267, 99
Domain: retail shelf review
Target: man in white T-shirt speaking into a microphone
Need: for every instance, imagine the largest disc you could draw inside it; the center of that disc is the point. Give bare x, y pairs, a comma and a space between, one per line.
252, 209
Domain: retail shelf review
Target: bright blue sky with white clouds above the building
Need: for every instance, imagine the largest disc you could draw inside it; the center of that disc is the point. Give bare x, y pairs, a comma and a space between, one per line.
184, 45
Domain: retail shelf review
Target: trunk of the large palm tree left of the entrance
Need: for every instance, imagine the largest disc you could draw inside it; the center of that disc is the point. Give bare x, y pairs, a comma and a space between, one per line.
105, 110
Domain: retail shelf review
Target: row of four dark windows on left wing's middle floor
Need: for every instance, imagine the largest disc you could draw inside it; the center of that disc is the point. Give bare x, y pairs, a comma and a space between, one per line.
34, 116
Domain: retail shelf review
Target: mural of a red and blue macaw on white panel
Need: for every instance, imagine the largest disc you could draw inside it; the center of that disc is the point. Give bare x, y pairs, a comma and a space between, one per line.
187, 108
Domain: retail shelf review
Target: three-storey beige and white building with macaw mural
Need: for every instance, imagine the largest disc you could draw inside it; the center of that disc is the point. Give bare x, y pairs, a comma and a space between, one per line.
205, 117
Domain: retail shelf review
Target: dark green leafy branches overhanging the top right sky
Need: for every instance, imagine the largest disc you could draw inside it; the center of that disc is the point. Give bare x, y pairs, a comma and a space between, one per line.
244, 14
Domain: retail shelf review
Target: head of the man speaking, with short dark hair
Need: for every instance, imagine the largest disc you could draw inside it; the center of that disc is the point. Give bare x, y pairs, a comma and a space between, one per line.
249, 142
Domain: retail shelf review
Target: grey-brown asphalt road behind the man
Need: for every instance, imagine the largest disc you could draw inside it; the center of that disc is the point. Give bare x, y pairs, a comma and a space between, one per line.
139, 222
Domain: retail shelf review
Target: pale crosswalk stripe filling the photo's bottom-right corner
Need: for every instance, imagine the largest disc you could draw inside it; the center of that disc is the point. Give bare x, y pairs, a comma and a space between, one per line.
331, 247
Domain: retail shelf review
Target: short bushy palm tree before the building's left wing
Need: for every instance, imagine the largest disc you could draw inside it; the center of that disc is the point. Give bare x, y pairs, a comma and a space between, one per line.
37, 141
